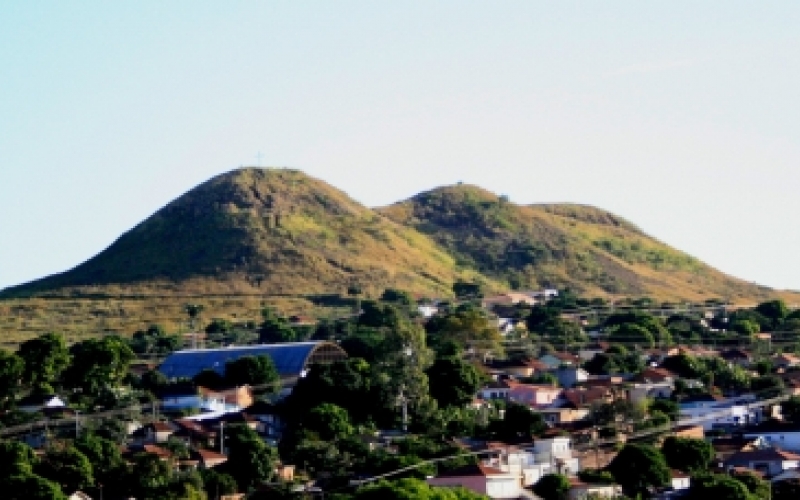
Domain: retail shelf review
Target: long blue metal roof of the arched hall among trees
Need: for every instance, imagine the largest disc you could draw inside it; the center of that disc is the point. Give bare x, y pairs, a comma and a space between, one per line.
289, 358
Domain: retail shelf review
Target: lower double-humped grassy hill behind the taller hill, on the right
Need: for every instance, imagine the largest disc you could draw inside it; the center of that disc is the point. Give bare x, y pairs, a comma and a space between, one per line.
587, 249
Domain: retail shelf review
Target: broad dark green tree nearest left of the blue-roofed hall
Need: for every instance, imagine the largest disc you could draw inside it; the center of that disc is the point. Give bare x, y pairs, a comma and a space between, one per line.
98, 364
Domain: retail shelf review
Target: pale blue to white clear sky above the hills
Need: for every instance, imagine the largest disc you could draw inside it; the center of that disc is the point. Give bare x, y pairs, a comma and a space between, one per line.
680, 116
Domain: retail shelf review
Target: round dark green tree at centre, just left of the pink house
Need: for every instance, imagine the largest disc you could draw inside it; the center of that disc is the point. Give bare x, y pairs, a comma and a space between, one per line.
453, 382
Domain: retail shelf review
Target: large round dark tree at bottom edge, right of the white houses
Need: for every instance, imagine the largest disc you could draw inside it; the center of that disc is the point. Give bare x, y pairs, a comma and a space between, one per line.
638, 467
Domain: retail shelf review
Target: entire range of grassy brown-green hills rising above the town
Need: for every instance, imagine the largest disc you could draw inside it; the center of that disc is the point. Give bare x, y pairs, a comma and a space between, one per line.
280, 231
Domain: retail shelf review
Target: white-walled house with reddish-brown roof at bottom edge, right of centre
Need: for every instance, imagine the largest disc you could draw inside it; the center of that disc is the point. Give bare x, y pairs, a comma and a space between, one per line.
483, 480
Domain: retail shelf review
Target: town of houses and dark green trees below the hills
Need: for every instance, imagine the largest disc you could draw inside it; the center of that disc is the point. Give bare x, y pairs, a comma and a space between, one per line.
526, 394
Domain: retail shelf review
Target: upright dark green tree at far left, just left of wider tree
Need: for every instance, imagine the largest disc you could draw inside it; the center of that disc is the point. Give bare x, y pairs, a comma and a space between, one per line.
45, 358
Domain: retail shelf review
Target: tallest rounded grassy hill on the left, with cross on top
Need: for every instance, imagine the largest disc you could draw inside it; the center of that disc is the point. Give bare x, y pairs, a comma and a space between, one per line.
258, 231
